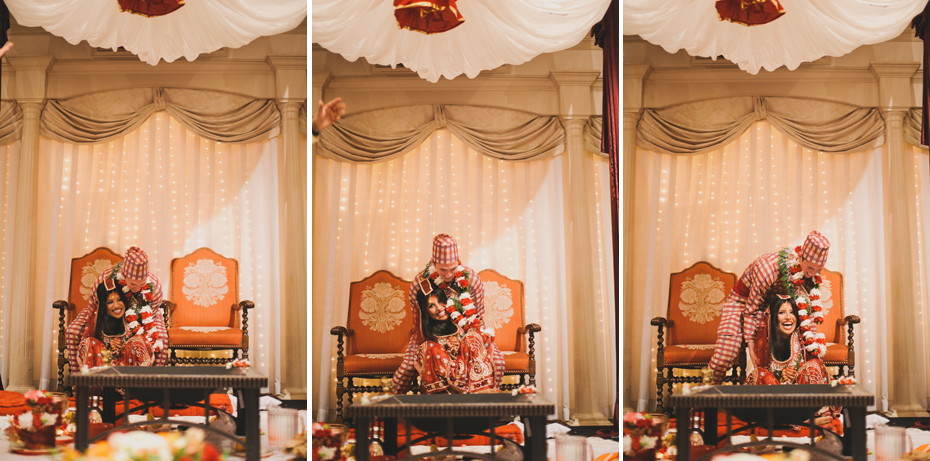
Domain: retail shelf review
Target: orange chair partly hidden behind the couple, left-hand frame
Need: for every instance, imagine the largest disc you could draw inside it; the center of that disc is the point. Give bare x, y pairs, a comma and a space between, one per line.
84, 272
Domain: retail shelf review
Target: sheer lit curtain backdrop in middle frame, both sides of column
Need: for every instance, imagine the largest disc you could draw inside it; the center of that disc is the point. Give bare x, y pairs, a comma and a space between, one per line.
507, 216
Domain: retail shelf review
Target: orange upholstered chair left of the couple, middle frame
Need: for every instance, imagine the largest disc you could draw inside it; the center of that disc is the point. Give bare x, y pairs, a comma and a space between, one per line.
378, 328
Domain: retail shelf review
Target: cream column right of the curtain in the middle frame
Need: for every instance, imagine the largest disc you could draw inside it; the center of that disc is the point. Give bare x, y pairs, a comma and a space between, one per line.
575, 106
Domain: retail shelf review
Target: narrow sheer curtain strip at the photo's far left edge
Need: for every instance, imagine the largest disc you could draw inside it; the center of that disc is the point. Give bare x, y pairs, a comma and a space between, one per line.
9, 165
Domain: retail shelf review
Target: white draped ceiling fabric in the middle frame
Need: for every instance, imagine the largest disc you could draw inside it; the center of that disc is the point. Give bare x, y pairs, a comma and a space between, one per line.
494, 33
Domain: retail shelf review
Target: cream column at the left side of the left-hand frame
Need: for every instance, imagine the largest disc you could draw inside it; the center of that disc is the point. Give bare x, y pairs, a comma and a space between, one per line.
30, 93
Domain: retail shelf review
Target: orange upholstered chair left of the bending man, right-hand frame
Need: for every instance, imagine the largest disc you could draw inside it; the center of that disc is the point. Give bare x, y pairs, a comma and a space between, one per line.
695, 300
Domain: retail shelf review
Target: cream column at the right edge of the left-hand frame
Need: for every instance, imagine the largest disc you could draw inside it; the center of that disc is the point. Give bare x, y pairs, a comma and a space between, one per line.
291, 90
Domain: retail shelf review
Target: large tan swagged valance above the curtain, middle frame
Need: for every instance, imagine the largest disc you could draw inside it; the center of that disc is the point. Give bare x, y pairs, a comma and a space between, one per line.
383, 134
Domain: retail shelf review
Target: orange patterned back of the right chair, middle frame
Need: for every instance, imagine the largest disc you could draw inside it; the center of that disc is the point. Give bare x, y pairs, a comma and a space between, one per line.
504, 310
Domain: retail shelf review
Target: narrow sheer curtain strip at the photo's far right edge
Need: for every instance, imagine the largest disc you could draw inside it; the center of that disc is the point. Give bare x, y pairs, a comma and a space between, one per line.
920, 207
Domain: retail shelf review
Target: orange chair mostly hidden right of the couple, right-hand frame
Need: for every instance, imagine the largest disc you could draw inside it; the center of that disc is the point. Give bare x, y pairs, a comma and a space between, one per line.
840, 350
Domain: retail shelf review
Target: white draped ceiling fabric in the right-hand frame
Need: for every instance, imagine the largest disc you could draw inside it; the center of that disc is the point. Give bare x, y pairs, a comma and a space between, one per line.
809, 30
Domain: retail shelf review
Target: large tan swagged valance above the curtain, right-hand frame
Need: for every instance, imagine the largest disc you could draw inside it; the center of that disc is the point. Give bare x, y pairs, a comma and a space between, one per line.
702, 126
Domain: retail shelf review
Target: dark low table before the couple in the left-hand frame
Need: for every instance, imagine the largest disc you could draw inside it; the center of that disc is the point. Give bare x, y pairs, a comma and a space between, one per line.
167, 385
